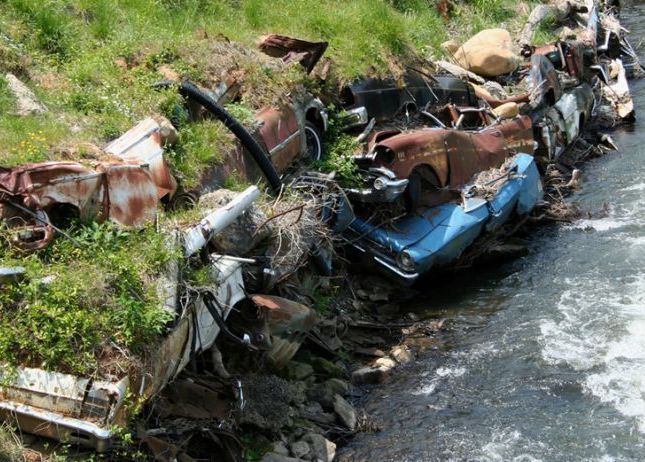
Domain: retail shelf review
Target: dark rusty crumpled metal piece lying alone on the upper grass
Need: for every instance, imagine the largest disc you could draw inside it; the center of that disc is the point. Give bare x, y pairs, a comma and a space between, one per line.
291, 49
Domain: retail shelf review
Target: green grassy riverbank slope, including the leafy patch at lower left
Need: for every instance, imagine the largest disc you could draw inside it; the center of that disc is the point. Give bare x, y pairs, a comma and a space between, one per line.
92, 62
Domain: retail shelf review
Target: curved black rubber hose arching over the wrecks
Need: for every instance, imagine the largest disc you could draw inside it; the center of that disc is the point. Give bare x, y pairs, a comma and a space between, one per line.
190, 90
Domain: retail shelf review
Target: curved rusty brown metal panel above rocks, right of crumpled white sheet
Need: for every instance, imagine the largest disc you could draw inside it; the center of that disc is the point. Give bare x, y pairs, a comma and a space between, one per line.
289, 323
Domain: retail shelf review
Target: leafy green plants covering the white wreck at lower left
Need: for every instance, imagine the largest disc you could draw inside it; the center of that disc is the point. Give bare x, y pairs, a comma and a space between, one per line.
102, 291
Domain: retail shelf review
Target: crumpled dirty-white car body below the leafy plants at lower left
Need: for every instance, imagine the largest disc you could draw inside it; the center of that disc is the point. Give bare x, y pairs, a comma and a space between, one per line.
84, 411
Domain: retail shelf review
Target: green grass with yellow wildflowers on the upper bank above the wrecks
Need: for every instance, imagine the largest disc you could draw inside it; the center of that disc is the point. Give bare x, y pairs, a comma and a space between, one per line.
93, 61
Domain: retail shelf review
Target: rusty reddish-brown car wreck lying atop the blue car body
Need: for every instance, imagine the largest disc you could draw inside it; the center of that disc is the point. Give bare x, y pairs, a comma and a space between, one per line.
437, 160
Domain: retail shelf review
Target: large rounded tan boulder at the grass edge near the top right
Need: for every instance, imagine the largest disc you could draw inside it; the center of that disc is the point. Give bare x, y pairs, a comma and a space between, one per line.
488, 53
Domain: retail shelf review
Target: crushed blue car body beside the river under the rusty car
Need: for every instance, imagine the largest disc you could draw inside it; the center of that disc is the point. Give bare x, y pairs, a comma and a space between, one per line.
439, 235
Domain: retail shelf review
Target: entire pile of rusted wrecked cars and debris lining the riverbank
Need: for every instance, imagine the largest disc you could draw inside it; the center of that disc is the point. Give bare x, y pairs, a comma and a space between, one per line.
447, 156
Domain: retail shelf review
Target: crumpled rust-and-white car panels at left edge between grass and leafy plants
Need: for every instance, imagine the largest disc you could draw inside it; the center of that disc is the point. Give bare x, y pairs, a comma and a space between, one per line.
127, 192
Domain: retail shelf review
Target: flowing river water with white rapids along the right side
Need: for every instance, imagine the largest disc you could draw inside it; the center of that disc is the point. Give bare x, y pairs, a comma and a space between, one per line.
544, 357
